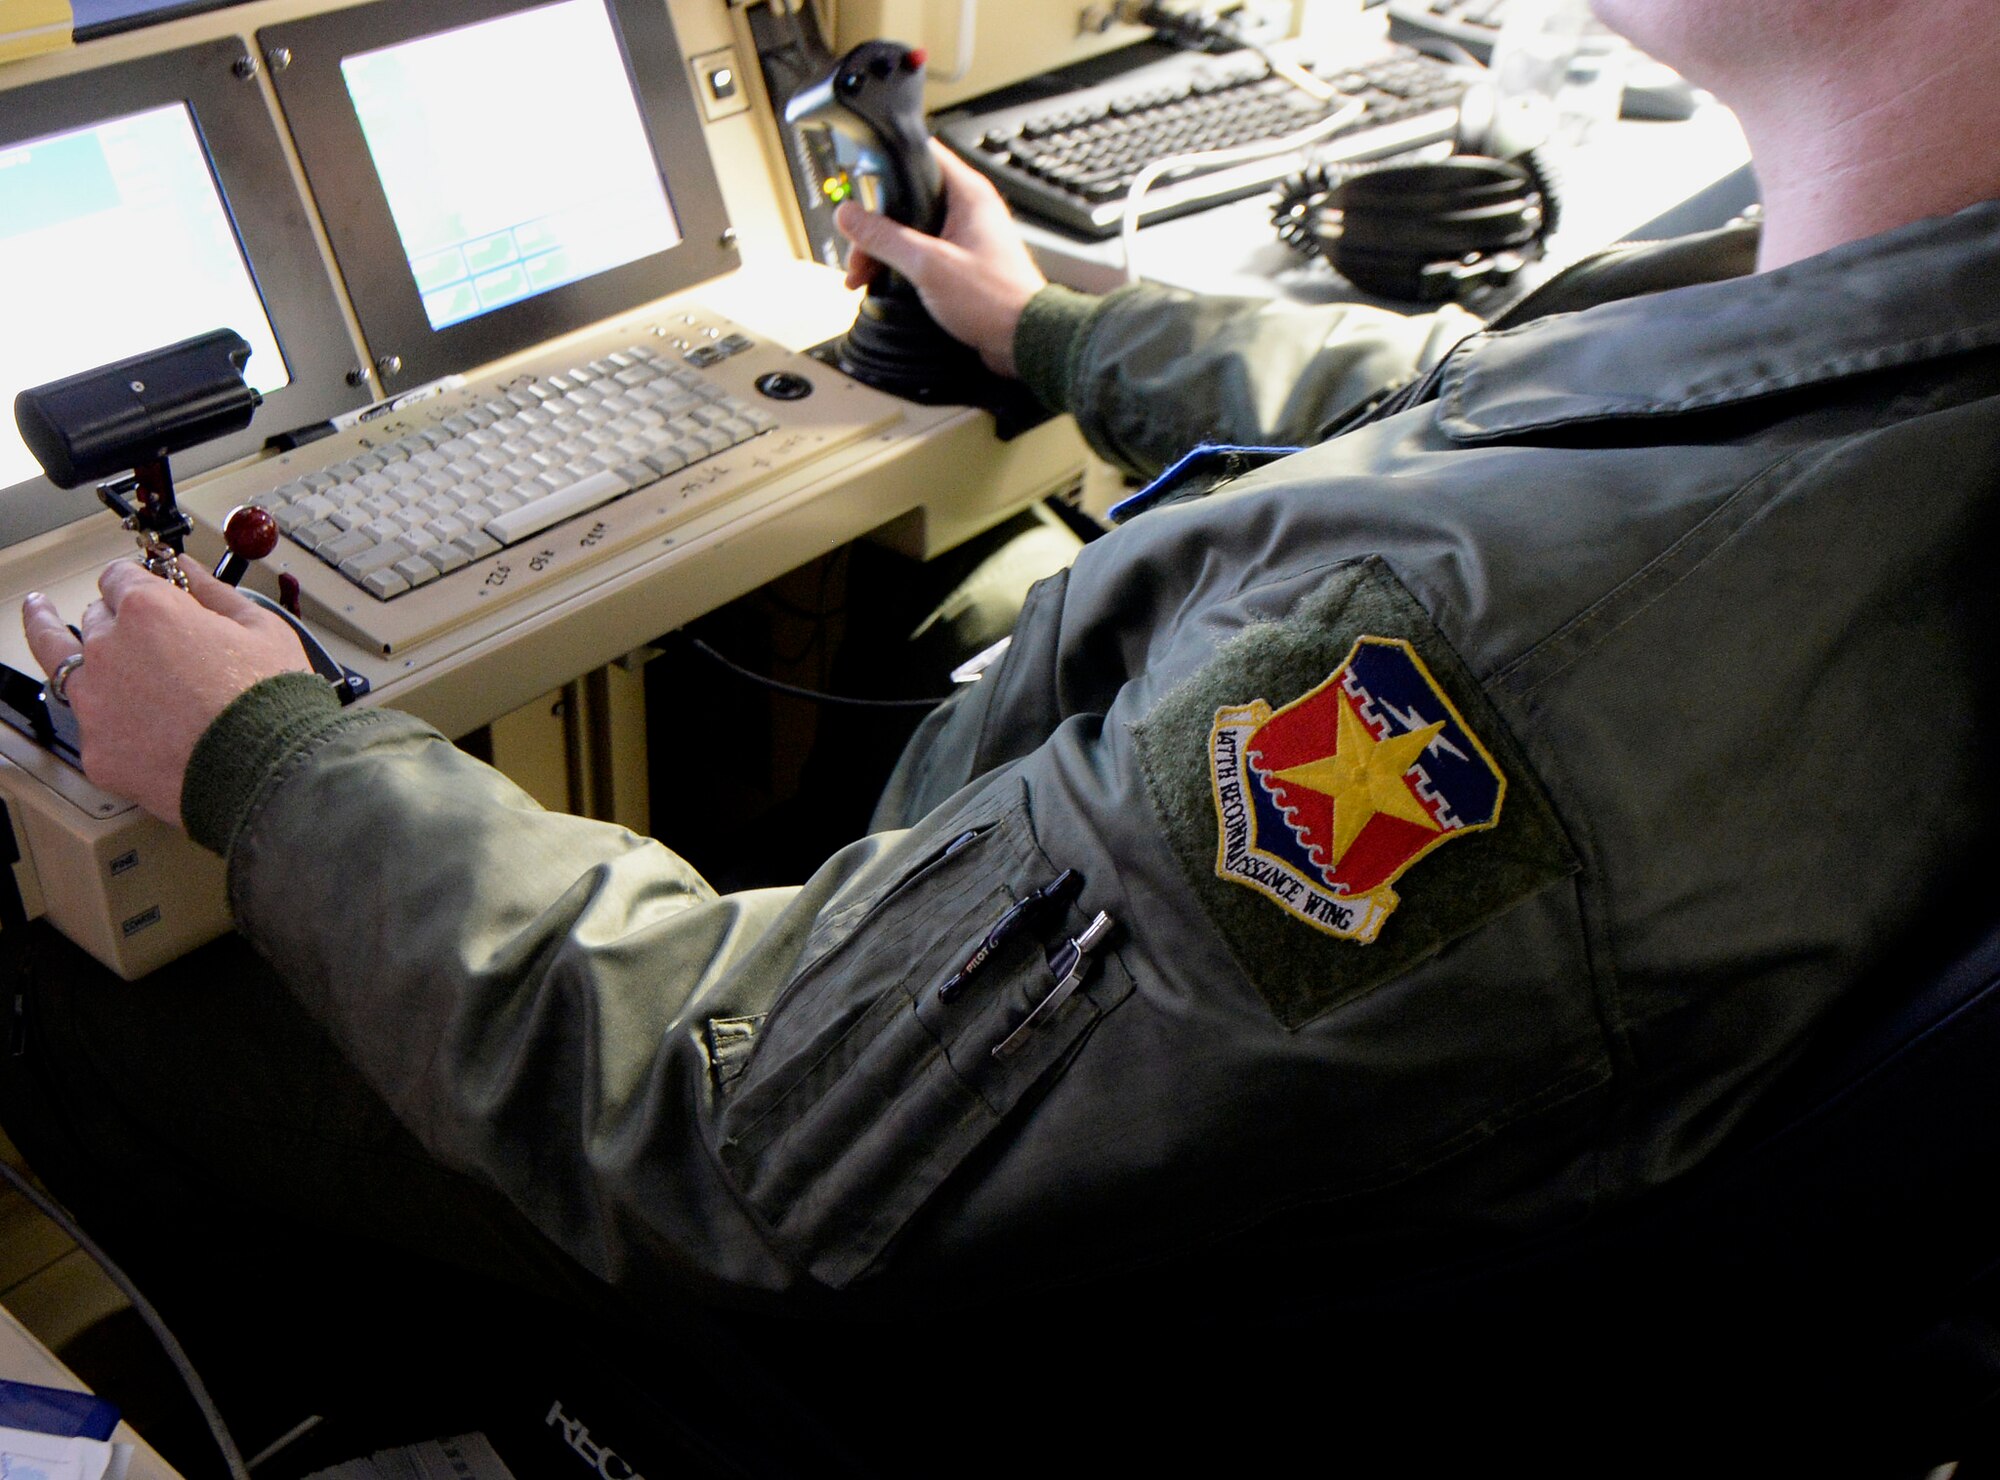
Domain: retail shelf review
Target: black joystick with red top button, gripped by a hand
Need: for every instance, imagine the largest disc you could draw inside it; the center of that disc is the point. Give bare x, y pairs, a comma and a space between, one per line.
871, 111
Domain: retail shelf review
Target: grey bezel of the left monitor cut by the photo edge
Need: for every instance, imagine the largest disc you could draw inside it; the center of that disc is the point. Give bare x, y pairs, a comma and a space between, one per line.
249, 165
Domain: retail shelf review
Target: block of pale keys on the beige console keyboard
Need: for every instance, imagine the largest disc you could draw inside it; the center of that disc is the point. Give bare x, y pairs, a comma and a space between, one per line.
541, 451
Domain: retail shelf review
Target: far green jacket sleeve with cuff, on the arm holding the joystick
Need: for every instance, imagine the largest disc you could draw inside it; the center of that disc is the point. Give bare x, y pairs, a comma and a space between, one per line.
1151, 373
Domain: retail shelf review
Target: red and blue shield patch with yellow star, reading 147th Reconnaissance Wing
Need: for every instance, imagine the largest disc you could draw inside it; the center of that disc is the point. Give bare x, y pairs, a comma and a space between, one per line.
1327, 801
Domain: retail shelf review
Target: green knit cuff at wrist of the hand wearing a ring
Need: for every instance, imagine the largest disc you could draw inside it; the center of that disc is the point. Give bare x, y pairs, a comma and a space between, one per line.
245, 747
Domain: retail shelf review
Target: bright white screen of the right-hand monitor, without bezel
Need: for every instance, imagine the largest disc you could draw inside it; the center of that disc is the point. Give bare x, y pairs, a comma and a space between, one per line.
485, 227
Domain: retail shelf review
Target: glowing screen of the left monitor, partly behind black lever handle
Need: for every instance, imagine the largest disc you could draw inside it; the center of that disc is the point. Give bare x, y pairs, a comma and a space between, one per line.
71, 209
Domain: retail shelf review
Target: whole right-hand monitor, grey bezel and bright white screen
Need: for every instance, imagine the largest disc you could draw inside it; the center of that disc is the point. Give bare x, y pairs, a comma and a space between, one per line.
495, 175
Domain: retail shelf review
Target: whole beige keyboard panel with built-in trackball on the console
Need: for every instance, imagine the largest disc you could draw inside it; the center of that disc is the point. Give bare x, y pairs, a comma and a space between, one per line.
517, 485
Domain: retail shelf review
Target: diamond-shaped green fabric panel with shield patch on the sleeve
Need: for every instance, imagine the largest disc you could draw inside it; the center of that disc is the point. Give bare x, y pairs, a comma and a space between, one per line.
1321, 759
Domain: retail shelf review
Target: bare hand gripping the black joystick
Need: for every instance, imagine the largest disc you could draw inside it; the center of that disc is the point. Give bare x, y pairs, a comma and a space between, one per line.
975, 277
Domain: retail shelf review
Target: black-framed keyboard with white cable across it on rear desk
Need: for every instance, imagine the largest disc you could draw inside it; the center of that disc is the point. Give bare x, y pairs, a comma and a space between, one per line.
1071, 159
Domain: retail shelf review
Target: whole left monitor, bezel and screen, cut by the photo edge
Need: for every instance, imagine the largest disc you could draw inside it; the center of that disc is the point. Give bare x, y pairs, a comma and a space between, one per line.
141, 205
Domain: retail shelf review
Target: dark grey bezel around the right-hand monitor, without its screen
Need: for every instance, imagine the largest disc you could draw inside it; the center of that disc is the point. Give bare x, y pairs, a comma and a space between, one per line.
357, 215
